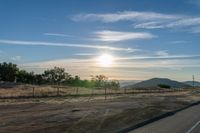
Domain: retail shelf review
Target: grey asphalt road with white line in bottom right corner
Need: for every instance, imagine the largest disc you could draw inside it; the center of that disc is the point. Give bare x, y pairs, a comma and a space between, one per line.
186, 121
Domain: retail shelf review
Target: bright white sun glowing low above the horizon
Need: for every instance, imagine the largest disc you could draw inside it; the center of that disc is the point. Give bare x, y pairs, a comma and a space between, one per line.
105, 60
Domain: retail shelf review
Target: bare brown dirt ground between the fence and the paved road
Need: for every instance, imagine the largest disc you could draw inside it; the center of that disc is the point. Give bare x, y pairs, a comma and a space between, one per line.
87, 114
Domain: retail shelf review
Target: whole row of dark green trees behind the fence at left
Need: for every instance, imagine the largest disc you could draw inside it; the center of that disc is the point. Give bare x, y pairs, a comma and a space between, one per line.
10, 72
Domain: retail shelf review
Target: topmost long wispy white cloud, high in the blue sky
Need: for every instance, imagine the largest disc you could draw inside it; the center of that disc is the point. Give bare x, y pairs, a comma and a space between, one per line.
124, 16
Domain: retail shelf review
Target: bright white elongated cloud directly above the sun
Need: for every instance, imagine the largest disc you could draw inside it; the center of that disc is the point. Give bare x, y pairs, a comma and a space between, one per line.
114, 36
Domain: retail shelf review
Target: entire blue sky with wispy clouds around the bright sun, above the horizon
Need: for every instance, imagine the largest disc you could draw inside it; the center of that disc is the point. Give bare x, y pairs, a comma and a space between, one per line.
145, 38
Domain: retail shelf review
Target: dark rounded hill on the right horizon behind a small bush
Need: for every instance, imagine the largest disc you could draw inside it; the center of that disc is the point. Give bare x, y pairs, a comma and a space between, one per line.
155, 81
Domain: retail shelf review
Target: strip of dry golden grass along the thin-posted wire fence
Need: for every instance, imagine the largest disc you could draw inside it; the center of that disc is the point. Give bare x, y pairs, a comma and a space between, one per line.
52, 91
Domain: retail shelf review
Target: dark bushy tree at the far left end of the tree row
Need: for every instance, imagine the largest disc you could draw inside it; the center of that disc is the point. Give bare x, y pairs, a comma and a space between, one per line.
8, 71
